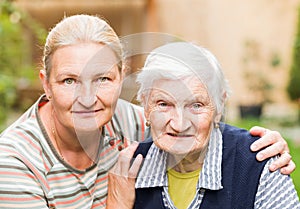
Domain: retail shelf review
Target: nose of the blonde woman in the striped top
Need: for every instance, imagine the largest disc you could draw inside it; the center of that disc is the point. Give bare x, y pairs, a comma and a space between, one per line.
87, 96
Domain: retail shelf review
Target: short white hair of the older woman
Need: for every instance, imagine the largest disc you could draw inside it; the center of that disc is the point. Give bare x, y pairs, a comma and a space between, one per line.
182, 59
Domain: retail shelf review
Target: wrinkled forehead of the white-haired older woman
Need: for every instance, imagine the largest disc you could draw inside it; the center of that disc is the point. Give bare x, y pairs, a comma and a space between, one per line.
180, 89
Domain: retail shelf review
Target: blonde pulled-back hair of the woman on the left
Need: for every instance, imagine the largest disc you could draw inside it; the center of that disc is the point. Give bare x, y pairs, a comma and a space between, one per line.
81, 29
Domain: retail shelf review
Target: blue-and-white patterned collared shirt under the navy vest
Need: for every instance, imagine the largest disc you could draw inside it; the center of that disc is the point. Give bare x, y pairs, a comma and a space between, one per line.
275, 191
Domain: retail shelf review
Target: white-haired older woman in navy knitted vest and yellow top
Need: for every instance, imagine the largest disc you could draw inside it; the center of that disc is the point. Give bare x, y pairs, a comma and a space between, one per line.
192, 160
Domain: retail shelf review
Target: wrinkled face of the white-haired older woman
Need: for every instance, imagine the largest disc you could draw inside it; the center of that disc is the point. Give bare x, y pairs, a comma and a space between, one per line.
181, 114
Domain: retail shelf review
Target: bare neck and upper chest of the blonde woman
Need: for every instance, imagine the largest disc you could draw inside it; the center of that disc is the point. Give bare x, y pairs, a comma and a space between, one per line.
78, 149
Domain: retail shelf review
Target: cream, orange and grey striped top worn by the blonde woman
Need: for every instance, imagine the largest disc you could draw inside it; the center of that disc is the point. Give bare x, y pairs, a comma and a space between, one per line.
33, 175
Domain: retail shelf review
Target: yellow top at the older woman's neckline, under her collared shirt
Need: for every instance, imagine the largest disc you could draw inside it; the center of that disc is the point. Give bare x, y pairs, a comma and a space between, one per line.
182, 187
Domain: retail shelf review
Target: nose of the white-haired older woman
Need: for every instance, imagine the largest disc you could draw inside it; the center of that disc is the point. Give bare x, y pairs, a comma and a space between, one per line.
179, 122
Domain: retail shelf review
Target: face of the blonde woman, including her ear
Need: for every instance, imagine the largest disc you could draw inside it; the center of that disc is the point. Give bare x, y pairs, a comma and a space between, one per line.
84, 84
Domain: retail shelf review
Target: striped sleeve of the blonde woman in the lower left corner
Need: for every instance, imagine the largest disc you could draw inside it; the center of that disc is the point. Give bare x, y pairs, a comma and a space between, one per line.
20, 187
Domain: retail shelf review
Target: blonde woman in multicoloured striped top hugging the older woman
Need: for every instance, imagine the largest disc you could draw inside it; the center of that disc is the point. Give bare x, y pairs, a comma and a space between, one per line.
57, 155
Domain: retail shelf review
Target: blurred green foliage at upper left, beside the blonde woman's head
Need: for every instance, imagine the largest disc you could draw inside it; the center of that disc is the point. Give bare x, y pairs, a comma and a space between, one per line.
16, 66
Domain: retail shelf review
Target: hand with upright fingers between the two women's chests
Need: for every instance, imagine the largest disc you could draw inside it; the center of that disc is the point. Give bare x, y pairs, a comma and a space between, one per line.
121, 179
